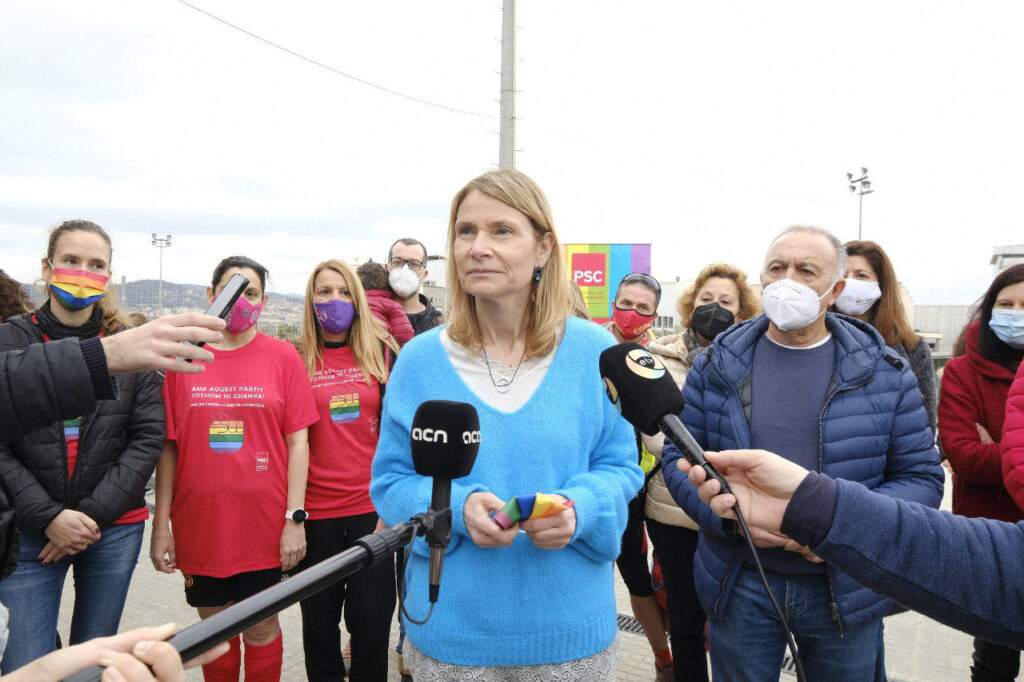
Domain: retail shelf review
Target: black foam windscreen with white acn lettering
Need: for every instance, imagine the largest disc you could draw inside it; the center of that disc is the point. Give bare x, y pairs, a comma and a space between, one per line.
446, 438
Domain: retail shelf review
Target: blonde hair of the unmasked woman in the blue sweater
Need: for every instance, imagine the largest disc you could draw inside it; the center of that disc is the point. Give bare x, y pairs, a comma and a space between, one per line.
551, 295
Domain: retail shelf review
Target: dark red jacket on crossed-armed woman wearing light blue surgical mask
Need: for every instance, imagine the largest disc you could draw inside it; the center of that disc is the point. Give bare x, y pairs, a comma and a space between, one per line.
974, 392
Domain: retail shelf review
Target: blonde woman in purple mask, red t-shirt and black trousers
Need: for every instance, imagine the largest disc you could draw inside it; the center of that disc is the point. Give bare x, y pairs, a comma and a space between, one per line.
349, 357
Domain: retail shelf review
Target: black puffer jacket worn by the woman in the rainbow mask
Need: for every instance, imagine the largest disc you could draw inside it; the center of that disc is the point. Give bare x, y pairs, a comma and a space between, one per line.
119, 445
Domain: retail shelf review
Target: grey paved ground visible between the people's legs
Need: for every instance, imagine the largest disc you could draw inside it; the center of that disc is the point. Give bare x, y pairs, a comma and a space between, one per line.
917, 650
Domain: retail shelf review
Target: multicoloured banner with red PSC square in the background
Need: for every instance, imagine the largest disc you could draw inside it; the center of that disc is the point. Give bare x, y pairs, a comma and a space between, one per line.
598, 269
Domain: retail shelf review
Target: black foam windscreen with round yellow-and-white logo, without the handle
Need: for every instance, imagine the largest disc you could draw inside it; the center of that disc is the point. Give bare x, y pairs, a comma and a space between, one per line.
639, 387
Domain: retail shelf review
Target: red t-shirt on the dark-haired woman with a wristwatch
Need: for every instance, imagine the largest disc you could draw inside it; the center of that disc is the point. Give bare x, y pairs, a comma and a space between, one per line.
231, 486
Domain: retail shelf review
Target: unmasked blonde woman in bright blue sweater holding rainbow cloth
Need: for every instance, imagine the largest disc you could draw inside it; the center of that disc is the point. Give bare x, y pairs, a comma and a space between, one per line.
537, 602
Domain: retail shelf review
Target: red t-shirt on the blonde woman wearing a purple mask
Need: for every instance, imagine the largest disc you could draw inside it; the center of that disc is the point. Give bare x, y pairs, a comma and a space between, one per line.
344, 442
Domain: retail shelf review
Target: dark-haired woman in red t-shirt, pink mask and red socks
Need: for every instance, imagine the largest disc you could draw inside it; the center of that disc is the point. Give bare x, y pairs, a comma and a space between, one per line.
232, 480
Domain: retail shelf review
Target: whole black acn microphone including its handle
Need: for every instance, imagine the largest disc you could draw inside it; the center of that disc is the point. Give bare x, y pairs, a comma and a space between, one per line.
446, 439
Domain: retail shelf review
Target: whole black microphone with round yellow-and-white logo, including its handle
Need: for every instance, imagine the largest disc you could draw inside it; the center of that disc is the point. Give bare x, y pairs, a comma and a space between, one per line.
646, 395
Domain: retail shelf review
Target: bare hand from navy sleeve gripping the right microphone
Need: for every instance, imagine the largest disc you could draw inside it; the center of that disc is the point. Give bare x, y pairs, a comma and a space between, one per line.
762, 484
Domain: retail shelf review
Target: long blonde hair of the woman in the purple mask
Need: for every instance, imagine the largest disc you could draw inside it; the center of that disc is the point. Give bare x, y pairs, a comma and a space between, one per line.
366, 336
